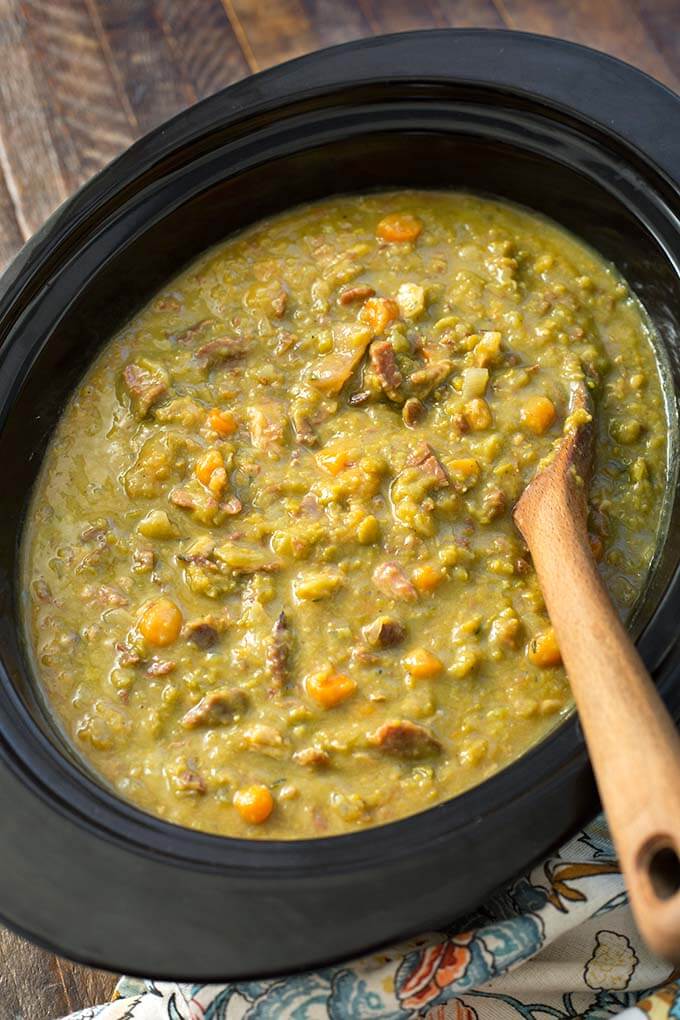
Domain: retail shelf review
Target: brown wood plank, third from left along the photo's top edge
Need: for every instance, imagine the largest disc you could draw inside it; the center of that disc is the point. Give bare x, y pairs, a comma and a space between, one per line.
154, 85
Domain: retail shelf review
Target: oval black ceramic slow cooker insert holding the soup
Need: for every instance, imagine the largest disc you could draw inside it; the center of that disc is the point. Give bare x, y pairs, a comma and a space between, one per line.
571, 133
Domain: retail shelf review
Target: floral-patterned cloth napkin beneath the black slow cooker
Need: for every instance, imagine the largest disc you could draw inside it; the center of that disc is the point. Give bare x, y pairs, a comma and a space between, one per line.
558, 943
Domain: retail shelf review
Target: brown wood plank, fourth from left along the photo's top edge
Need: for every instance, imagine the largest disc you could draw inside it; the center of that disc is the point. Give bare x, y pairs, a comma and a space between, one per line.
203, 43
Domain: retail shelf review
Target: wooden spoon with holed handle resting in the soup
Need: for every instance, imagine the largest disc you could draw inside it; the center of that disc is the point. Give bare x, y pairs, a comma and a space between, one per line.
635, 746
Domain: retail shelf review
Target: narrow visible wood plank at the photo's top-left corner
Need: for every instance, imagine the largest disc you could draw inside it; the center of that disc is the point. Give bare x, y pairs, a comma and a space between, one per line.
28, 155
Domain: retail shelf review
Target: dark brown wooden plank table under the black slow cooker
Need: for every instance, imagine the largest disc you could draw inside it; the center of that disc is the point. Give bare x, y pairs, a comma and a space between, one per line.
80, 80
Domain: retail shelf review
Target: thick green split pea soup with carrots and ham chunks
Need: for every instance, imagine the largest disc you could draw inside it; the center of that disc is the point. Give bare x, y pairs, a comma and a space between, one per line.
274, 587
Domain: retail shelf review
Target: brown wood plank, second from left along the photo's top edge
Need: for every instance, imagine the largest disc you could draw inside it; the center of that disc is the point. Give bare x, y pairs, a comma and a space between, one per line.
91, 122
